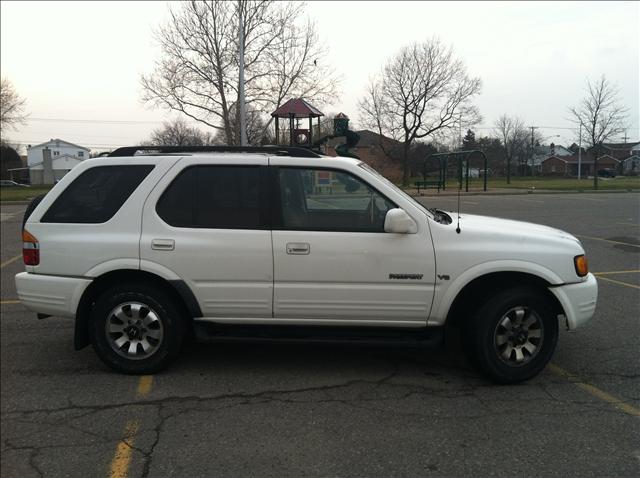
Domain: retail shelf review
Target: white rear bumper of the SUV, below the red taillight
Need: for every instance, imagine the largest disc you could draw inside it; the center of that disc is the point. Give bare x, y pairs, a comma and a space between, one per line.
50, 295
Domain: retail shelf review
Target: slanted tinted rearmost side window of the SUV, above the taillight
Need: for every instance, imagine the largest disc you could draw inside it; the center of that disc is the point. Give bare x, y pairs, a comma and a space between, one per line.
96, 195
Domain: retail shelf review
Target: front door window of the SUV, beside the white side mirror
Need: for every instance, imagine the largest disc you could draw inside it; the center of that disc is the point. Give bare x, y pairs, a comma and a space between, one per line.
329, 200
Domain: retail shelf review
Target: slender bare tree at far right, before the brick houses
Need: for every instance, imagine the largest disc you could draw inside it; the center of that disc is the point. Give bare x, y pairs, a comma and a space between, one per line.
601, 116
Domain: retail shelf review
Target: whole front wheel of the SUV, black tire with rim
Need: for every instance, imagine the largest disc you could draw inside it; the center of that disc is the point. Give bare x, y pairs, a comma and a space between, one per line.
504, 351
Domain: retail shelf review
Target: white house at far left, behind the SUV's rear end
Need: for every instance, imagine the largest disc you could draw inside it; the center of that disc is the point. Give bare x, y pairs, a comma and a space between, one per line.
64, 157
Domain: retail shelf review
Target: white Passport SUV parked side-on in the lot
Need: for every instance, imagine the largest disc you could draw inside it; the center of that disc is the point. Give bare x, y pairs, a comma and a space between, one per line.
146, 249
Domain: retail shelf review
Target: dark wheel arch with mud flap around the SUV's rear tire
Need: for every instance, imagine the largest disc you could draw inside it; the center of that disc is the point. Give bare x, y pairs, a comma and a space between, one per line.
178, 290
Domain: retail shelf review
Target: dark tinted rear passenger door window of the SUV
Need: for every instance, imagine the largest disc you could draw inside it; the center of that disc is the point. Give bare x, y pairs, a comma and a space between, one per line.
217, 197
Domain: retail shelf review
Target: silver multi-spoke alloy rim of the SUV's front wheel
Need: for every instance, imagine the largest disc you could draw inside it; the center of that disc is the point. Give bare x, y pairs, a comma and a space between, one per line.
518, 336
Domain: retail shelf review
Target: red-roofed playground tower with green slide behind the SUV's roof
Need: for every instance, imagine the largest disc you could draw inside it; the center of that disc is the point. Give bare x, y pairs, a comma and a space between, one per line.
295, 111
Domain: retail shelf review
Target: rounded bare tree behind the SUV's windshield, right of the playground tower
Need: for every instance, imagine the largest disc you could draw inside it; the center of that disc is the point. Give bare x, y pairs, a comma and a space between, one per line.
422, 90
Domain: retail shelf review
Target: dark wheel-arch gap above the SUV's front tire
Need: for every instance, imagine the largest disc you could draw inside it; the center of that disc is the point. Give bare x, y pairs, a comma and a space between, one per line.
480, 289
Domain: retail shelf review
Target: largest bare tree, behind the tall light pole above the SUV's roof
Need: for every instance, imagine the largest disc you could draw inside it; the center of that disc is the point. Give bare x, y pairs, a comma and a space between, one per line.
198, 72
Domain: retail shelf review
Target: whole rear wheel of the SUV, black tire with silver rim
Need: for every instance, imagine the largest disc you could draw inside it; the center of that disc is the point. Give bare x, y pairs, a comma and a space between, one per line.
152, 320
